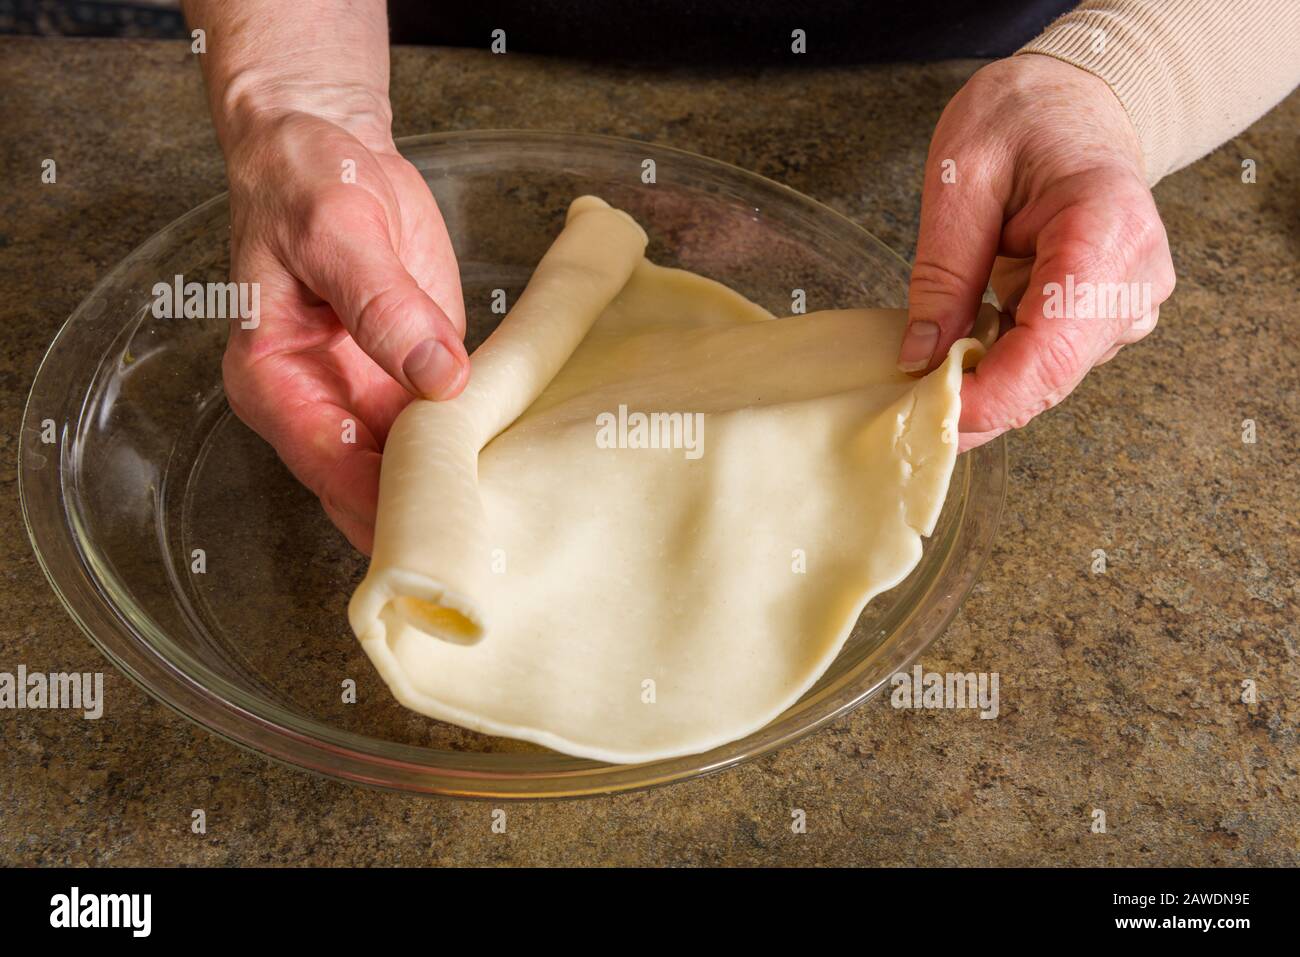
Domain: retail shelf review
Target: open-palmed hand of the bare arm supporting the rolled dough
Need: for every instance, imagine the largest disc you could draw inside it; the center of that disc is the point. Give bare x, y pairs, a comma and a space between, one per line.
361, 304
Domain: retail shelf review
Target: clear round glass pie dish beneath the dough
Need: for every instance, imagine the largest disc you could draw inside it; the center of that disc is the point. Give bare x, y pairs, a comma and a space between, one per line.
148, 465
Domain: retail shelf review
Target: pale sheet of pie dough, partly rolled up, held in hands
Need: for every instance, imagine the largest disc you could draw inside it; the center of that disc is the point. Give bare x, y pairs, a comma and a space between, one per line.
635, 604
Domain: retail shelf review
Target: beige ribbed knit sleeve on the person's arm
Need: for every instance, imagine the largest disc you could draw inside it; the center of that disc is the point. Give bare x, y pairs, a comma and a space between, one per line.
1190, 73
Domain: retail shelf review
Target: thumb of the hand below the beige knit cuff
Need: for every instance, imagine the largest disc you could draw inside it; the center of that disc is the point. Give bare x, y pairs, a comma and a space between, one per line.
961, 223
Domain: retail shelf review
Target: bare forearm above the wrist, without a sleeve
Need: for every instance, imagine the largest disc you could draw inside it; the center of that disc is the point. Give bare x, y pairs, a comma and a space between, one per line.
270, 58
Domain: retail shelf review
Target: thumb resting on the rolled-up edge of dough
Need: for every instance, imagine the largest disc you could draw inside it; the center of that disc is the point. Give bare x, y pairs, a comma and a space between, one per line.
385, 310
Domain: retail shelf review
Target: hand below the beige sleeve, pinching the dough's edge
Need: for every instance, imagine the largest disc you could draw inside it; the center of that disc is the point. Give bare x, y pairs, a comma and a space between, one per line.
1034, 183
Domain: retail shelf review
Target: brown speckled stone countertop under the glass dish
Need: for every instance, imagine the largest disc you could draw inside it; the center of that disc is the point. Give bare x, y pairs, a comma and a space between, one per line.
1119, 691
